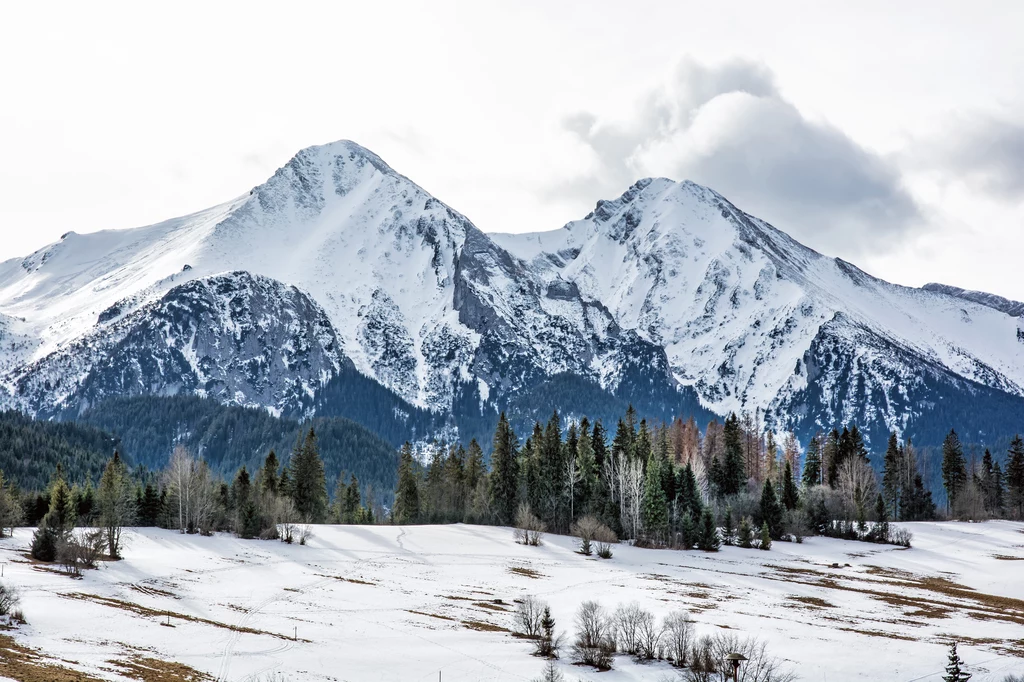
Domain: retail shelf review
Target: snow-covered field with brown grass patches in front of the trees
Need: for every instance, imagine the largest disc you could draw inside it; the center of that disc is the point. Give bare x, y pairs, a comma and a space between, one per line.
407, 604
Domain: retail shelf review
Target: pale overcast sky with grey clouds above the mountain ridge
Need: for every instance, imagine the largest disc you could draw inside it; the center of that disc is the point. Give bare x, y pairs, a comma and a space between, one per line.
890, 135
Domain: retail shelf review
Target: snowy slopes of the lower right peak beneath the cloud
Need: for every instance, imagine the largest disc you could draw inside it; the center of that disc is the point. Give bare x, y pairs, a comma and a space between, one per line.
738, 304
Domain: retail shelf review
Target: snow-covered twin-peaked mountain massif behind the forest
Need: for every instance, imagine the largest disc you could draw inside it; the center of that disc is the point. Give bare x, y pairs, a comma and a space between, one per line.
667, 295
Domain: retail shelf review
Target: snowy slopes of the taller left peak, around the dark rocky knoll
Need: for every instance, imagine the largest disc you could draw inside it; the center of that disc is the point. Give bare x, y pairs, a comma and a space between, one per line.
419, 297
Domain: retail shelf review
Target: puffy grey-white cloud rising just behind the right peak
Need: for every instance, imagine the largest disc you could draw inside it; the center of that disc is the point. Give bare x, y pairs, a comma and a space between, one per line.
729, 127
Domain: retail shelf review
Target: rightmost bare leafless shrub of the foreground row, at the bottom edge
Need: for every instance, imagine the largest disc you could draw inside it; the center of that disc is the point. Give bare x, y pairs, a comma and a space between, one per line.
708, 661
